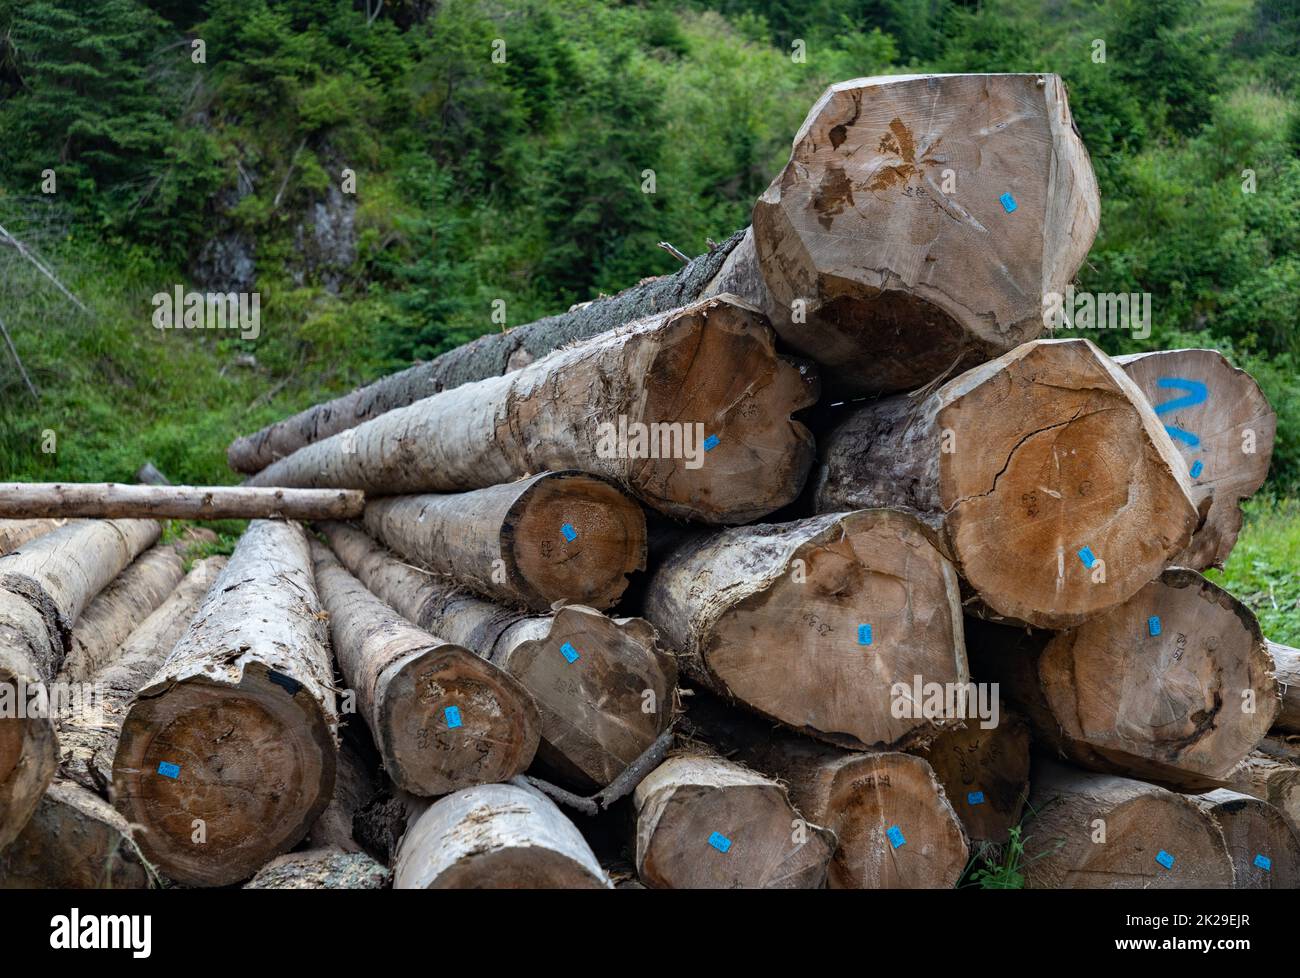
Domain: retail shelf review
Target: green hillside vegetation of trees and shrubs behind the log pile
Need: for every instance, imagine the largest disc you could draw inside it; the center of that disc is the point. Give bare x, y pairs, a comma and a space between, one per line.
521, 181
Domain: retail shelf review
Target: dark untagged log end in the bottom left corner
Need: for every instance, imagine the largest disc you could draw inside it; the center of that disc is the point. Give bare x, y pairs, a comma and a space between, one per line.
76, 841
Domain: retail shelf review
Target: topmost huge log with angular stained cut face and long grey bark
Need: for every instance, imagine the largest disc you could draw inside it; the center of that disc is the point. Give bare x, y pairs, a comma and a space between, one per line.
989, 200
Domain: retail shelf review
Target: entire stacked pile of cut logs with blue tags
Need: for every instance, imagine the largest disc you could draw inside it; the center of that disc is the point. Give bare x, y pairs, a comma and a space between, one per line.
813, 565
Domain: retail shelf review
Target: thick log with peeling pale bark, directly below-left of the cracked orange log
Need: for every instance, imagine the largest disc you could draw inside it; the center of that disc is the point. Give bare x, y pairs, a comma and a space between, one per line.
824, 625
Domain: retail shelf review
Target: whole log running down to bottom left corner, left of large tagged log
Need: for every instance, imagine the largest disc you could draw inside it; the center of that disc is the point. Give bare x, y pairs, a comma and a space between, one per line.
77, 839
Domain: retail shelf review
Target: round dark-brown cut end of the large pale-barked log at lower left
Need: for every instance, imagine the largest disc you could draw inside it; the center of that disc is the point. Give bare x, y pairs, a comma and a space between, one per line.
223, 777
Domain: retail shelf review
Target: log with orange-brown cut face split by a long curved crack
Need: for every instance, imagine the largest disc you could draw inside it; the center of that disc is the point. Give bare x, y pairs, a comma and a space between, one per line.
1058, 491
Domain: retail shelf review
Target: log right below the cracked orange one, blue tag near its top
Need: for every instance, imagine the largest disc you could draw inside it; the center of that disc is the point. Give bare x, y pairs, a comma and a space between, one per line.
1175, 686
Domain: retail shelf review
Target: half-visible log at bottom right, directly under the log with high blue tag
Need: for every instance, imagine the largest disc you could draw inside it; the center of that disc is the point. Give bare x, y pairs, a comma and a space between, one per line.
1097, 832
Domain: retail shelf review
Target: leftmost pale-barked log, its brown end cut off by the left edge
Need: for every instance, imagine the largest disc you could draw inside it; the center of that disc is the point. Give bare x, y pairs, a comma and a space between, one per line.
45, 586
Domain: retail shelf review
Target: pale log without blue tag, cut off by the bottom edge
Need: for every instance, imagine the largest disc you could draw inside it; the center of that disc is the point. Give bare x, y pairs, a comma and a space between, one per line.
496, 837
